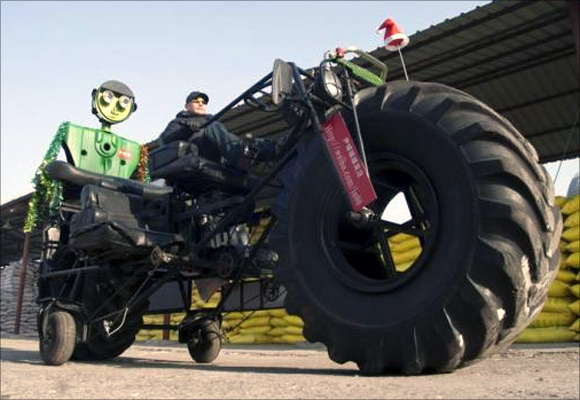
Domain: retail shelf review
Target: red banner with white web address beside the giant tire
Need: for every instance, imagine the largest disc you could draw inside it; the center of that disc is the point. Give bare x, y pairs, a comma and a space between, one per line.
348, 163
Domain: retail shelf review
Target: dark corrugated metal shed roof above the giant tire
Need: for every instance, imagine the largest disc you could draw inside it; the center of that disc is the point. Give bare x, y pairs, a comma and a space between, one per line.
519, 57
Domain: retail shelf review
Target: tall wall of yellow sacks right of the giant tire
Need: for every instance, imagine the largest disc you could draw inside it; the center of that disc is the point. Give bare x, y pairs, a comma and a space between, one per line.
558, 320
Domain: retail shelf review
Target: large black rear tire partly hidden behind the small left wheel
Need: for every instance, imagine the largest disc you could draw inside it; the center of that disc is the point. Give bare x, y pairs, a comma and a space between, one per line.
102, 345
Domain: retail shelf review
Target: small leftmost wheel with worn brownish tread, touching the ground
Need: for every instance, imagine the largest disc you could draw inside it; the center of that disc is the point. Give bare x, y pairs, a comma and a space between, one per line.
58, 340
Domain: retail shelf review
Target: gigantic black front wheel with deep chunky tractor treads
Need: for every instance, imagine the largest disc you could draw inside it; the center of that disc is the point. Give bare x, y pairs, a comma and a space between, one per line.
480, 205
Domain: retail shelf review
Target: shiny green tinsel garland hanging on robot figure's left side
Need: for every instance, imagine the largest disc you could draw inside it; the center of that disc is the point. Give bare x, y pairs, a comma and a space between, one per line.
47, 194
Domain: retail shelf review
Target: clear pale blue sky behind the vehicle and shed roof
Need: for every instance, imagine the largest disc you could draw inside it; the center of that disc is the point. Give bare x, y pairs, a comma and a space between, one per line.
54, 53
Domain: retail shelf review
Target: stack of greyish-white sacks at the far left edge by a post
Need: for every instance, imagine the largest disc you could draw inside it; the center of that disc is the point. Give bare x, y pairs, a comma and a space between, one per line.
9, 287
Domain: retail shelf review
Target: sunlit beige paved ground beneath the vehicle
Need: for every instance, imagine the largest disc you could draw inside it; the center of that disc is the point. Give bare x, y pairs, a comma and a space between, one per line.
163, 370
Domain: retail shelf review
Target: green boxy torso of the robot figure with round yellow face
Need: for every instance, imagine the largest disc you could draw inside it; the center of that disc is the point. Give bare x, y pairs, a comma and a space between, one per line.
100, 151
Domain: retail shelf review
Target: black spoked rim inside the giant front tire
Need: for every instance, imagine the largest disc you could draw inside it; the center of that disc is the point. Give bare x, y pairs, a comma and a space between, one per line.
362, 257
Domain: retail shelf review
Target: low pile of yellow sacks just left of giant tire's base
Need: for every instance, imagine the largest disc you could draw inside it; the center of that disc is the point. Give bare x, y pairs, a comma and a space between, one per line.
263, 326
